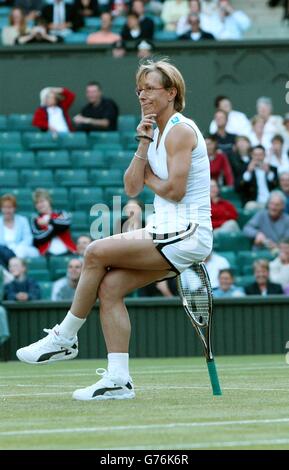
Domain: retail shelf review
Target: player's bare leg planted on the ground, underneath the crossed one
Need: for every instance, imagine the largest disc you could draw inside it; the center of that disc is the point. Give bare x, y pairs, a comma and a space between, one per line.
114, 317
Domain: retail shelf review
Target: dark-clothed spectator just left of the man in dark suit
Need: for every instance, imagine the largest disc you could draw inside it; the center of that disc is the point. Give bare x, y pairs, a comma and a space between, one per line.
241, 158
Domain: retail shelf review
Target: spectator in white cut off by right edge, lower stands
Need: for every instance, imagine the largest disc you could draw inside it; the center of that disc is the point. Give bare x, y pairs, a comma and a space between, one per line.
279, 267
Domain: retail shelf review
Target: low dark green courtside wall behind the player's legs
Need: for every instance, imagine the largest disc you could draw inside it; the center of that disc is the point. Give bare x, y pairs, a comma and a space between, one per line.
160, 327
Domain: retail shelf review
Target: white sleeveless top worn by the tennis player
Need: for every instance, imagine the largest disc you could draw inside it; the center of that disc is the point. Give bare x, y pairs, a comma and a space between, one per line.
195, 207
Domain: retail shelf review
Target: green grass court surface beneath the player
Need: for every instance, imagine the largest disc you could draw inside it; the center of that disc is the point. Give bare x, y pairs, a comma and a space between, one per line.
174, 407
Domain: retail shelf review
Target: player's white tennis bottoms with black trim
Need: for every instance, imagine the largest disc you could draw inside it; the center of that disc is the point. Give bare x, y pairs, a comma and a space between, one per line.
184, 248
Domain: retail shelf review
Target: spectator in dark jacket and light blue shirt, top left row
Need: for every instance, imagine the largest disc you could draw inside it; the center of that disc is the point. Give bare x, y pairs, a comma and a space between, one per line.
61, 18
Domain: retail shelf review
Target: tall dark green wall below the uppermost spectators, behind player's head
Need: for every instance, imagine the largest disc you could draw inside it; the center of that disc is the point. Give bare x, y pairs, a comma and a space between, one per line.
243, 71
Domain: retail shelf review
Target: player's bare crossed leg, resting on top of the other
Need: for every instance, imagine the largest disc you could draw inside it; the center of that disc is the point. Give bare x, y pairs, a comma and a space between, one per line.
129, 251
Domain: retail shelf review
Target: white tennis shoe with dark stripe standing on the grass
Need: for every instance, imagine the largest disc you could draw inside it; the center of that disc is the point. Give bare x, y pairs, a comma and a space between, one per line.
108, 388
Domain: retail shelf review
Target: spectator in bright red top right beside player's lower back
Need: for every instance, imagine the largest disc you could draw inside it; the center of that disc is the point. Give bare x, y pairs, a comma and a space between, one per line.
222, 210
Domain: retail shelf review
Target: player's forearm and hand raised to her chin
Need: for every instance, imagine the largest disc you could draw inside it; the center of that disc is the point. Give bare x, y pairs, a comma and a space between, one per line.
134, 175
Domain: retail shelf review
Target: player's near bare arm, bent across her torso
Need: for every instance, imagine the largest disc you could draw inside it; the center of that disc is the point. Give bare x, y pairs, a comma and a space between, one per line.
179, 145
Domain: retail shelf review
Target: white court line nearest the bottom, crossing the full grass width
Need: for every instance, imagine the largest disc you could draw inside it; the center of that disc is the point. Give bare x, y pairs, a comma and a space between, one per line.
143, 427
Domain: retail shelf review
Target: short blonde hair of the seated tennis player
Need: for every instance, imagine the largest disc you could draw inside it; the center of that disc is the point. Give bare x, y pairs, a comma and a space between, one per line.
170, 78
